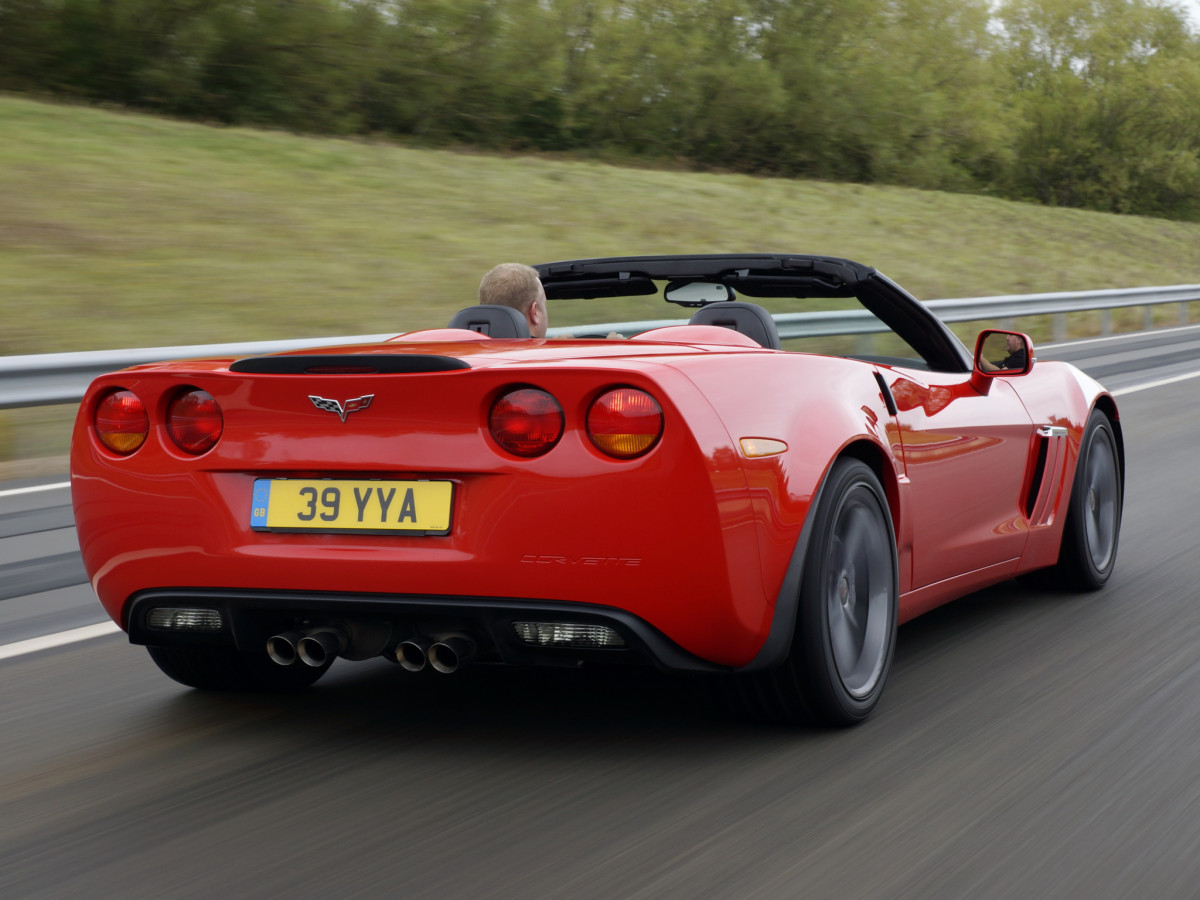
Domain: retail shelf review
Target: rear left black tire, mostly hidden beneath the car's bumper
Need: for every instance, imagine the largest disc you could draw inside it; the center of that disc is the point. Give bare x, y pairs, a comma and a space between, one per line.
224, 670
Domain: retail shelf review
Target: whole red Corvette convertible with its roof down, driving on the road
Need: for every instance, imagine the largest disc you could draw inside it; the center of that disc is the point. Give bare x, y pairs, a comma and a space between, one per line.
694, 499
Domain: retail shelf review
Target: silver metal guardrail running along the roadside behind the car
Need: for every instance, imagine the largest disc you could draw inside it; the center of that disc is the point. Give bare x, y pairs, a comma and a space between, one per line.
52, 379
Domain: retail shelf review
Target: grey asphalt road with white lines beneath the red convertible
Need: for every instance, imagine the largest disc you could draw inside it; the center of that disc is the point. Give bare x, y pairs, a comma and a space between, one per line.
1029, 745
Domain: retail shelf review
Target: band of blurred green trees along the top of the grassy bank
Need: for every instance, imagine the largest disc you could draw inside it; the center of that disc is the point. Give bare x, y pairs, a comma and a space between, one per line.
1087, 104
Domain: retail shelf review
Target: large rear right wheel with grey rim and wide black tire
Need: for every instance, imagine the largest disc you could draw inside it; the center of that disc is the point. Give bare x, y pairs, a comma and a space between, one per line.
847, 622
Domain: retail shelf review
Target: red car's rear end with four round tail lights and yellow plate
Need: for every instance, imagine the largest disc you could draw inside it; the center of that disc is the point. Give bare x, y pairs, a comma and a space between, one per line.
485, 500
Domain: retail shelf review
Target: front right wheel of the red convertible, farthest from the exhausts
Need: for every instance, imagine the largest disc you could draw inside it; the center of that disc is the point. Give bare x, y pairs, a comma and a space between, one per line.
1090, 536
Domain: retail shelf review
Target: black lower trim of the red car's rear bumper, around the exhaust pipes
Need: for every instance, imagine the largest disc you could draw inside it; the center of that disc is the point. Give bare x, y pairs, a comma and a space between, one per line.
251, 617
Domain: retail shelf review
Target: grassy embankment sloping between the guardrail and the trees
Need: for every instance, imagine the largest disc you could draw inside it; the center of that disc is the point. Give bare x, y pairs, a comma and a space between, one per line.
128, 231
